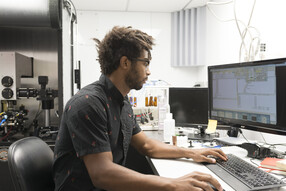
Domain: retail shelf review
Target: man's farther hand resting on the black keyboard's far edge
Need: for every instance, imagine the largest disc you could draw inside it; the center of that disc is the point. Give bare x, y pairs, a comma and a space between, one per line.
201, 155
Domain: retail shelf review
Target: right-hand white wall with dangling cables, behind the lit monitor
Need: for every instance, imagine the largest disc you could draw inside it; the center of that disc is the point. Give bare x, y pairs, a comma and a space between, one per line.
223, 40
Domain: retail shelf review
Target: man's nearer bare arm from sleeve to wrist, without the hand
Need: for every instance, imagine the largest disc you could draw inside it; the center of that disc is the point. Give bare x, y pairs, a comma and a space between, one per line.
110, 176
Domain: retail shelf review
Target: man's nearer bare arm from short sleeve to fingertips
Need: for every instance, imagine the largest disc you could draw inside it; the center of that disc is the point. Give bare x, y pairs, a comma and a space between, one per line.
109, 176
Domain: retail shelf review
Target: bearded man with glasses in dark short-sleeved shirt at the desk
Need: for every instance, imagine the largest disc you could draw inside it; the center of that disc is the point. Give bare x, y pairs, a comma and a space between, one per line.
98, 125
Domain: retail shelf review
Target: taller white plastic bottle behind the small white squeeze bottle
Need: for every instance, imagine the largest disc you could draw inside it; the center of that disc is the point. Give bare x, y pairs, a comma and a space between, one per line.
163, 108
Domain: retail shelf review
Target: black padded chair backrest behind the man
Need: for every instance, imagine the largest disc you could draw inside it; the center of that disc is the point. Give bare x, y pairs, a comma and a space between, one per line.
30, 162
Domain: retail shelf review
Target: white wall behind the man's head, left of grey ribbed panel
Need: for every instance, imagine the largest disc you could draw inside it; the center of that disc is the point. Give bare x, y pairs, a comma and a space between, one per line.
96, 24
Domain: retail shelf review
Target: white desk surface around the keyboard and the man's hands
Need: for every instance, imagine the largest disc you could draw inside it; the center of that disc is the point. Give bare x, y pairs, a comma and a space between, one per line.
174, 168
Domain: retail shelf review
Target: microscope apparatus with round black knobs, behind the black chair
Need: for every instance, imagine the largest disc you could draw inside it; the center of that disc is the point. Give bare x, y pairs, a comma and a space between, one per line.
15, 66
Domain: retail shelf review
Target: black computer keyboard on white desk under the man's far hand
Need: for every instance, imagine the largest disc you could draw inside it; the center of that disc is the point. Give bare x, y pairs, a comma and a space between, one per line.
243, 176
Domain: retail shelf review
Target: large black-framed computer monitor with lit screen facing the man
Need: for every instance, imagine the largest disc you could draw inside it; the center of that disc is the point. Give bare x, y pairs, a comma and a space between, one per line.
249, 95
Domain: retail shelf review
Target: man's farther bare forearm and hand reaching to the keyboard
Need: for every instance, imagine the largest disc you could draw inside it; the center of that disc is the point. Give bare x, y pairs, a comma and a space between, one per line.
157, 149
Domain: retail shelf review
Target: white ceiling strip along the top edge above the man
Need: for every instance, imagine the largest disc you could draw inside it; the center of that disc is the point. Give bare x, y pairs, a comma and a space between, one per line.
136, 5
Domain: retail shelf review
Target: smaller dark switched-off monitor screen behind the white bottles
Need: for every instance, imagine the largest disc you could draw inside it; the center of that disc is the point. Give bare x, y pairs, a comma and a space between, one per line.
189, 106
